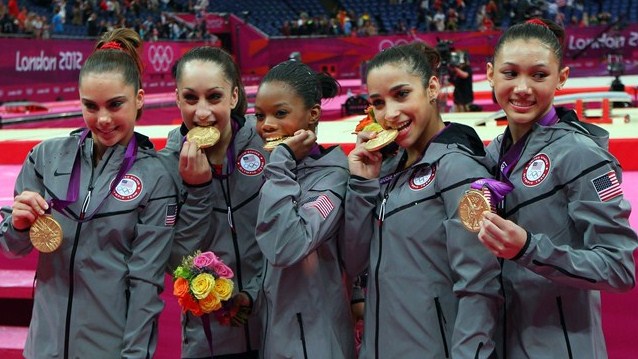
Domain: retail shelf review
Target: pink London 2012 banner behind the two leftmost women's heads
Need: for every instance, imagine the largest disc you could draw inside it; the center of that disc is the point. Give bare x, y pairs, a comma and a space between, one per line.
47, 70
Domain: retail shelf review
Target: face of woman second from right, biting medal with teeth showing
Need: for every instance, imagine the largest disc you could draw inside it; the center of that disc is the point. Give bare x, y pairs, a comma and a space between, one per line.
402, 102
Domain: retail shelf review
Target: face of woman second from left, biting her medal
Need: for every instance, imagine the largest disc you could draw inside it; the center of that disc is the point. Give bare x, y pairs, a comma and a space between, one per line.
205, 96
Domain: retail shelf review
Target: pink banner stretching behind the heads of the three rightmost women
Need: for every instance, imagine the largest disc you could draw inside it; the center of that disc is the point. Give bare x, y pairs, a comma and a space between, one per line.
586, 50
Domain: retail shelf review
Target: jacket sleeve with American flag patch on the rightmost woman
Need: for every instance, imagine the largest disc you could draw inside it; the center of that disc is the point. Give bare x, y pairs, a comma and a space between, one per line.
603, 259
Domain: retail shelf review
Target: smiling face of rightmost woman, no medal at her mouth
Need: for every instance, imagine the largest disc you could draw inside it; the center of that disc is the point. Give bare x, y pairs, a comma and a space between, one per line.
525, 76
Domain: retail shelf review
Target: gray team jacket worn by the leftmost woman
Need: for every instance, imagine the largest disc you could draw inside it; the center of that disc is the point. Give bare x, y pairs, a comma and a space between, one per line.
97, 296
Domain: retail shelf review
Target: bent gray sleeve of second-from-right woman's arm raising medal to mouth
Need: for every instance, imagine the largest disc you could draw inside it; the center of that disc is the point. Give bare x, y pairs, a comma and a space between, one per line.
360, 219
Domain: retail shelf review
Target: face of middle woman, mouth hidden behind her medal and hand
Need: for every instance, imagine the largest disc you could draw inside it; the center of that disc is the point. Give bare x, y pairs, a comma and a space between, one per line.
281, 112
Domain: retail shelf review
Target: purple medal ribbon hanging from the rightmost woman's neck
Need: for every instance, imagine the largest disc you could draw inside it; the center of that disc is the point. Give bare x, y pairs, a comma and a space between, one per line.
499, 189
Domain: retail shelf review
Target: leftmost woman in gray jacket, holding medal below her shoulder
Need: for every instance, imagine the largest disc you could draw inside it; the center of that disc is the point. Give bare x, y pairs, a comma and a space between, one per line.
98, 209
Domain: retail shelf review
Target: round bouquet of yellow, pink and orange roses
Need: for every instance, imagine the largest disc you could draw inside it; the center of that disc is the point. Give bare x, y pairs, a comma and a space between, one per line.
202, 284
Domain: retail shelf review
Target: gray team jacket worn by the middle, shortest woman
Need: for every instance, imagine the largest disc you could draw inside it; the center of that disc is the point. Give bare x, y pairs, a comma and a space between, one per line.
305, 307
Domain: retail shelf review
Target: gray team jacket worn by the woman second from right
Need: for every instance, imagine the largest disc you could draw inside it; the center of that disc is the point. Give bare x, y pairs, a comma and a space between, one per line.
433, 288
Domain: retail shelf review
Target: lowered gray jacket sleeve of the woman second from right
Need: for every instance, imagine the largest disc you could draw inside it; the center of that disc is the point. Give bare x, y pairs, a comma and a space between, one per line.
475, 271
